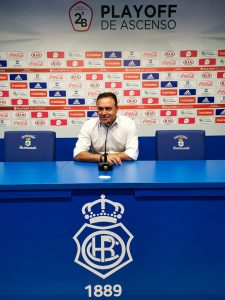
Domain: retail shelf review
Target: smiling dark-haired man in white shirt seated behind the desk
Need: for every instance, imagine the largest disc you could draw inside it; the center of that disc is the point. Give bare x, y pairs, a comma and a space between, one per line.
122, 138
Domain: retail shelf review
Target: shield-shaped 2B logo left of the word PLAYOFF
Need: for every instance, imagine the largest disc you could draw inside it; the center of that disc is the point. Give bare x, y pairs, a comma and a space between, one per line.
81, 16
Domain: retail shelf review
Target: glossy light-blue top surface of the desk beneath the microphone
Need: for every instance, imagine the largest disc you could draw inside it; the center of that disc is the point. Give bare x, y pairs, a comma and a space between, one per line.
139, 174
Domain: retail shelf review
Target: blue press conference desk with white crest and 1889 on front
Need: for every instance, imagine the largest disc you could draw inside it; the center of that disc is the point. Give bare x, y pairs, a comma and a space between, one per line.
158, 231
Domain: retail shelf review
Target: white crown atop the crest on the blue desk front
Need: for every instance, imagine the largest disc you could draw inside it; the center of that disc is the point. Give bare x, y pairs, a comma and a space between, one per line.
102, 210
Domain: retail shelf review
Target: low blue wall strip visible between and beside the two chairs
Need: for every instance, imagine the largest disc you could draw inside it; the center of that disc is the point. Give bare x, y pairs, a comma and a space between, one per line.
215, 148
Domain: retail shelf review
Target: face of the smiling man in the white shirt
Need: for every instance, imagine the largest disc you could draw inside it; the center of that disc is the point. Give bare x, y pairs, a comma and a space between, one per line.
107, 110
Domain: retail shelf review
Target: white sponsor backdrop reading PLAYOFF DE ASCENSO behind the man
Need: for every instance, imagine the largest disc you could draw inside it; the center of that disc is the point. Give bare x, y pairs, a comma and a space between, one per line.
164, 61
